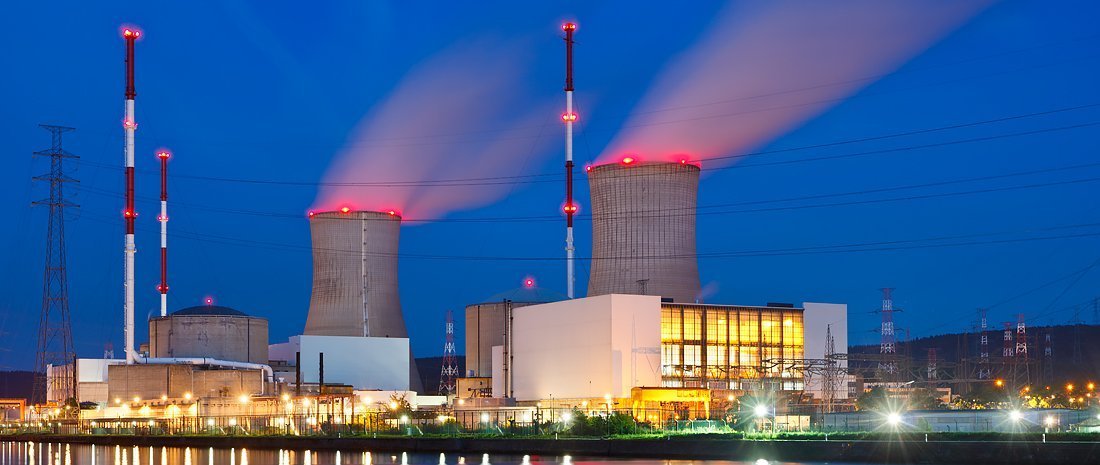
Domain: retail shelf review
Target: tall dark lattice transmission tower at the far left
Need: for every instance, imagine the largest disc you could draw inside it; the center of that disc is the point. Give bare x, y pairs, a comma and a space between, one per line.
56, 336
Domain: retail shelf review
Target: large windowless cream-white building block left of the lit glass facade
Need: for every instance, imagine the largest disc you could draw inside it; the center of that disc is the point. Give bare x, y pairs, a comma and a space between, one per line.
587, 348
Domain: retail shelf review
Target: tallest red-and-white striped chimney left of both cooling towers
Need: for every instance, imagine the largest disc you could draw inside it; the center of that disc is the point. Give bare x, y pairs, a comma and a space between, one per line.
129, 126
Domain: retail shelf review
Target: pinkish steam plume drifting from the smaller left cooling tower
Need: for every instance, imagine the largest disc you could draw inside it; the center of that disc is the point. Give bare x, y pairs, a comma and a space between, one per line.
461, 115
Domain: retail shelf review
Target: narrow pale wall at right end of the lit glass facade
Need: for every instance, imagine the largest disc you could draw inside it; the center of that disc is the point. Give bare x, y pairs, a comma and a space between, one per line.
817, 319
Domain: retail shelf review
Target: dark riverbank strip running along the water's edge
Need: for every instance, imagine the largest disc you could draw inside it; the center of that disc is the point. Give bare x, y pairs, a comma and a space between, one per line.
873, 451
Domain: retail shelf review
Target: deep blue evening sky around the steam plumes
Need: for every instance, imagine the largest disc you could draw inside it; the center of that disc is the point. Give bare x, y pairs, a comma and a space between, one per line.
266, 91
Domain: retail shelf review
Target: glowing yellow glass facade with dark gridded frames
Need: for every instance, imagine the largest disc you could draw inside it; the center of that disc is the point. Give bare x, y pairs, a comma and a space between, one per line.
731, 347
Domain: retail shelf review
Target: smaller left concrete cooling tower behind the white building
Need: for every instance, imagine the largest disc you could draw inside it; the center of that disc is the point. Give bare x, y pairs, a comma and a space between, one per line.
356, 276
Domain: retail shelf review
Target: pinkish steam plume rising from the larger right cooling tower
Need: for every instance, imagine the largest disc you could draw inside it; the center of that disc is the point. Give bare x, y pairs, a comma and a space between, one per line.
766, 68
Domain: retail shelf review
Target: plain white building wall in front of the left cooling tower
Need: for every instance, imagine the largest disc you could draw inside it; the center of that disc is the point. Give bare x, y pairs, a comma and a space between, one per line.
365, 363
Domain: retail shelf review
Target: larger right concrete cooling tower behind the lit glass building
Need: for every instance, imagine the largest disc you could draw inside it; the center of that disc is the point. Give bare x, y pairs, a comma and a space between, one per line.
644, 229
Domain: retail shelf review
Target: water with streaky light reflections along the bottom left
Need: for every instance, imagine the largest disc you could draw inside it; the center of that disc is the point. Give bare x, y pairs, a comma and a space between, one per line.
28, 453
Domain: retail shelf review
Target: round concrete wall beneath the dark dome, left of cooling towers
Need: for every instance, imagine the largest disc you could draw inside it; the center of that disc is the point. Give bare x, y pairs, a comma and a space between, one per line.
228, 338
